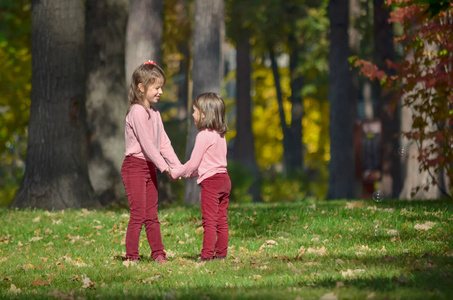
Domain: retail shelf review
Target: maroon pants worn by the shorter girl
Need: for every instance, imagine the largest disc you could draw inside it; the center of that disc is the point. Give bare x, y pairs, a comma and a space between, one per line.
215, 191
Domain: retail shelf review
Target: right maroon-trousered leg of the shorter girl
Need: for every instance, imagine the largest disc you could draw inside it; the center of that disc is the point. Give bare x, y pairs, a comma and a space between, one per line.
221, 247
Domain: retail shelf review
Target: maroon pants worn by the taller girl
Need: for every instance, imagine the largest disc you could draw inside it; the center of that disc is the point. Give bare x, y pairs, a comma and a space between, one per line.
140, 181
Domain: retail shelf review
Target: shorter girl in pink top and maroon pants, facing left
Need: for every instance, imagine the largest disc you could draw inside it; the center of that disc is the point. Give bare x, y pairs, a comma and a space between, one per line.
208, 161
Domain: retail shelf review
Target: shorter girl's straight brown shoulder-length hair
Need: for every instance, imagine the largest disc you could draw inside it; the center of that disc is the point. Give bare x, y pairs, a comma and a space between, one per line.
213, 107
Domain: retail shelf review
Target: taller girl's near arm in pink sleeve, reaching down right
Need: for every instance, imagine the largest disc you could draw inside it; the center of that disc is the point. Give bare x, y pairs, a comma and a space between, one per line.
142, 129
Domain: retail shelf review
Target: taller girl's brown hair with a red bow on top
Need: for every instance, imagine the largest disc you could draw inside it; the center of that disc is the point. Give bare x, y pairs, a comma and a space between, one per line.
146, 74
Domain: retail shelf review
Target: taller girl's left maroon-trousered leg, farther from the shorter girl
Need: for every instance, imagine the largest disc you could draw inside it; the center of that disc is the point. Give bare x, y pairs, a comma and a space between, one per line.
134, 175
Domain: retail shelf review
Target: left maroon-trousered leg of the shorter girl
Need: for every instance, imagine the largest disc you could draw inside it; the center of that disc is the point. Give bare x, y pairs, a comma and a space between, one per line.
209, 212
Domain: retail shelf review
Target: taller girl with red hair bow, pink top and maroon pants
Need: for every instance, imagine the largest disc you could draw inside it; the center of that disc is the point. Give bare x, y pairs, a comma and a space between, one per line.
147, 147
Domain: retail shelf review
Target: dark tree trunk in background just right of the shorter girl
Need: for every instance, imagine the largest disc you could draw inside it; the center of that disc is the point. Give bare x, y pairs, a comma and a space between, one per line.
244, 143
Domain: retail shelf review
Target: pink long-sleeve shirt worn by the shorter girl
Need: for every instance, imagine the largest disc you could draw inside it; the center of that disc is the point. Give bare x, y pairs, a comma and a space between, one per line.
208, 157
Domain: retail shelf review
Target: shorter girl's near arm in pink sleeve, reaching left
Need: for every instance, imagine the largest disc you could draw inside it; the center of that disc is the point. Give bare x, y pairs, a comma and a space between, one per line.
202, 143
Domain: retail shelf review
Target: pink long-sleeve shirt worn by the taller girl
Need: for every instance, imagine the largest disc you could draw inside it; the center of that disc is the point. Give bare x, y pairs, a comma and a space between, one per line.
146, 138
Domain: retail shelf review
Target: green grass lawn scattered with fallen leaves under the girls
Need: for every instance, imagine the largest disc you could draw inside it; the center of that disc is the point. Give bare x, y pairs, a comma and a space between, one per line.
51, 254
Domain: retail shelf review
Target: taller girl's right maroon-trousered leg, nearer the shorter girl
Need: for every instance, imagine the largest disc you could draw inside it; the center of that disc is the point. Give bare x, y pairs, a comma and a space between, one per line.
152, 224
